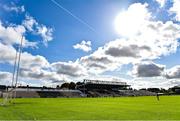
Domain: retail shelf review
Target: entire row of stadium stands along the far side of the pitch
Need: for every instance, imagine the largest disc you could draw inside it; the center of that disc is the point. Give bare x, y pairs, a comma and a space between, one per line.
87, 88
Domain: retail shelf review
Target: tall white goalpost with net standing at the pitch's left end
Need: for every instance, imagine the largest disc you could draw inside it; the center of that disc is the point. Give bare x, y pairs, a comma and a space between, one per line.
10, 94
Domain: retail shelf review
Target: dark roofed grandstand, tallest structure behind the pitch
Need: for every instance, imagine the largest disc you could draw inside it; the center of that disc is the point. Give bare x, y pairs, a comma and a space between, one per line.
101, 88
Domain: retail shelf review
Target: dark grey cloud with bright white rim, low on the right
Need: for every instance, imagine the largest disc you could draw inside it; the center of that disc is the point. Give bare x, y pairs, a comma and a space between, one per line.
148, 69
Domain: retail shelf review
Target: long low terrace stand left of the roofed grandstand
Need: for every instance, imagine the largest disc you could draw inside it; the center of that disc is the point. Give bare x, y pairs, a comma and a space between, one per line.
39, 92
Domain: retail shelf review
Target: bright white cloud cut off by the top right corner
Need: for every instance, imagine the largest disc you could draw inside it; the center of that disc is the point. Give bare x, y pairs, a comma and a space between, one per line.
175, 9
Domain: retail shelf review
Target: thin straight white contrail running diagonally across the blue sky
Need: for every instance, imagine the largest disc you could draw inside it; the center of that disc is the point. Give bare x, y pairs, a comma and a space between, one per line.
74, 16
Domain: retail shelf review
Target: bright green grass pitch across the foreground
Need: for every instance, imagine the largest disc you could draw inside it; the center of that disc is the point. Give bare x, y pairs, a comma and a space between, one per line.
132, 108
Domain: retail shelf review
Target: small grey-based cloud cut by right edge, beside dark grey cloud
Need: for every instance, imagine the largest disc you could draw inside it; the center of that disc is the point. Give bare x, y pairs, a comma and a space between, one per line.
173, 73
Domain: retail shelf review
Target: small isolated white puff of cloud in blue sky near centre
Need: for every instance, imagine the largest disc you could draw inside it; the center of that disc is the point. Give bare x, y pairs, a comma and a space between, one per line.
84, 45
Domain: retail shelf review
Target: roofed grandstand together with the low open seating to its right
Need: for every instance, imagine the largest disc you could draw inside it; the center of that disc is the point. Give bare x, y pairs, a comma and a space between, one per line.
100, 88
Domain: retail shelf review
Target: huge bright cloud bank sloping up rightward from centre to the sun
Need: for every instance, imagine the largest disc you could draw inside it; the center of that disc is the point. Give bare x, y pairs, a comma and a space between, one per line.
152, 40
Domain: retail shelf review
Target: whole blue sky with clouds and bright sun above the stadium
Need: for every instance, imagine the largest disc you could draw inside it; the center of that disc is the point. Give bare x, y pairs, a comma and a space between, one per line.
134, 41
